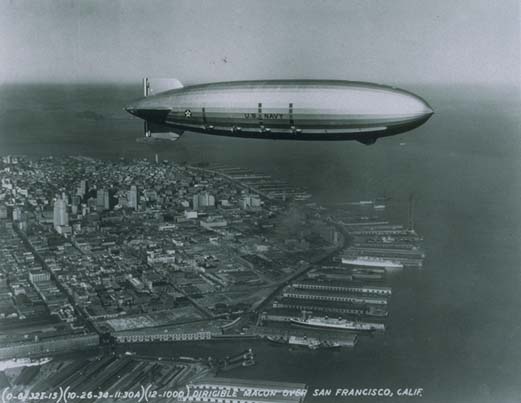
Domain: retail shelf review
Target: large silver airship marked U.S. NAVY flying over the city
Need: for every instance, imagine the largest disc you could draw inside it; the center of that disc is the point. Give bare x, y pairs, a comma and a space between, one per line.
317, 110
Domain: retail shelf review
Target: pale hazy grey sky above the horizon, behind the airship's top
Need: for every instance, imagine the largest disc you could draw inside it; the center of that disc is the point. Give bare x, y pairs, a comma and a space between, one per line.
451, 41
